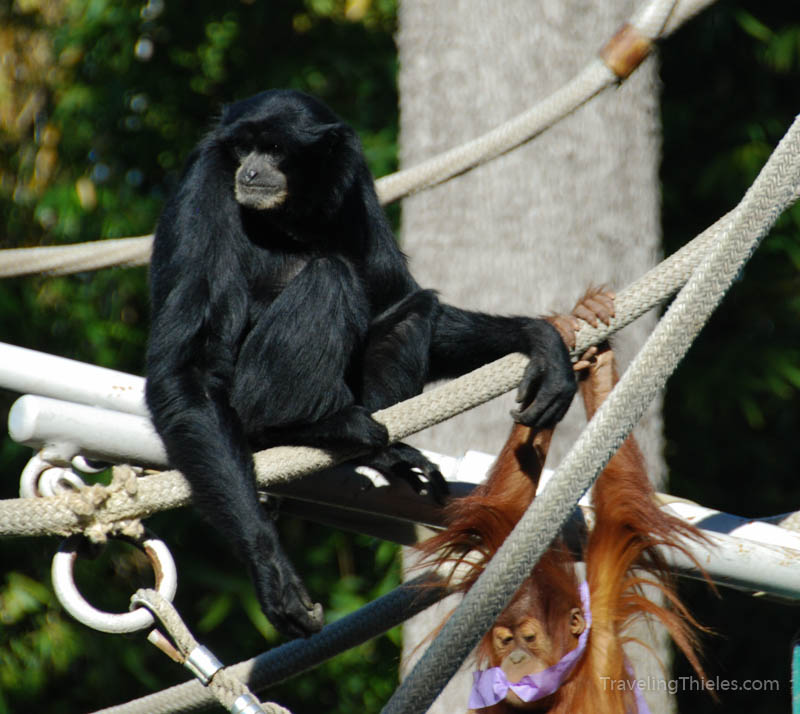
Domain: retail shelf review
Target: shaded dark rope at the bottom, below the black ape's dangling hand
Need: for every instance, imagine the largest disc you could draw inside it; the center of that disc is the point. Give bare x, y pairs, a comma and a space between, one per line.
299, 655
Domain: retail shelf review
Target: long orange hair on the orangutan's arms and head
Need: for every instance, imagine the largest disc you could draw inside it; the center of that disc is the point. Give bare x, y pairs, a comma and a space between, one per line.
622, 554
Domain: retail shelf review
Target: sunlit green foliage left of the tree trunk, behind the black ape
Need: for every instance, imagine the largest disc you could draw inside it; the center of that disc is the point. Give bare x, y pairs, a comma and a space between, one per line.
100, 102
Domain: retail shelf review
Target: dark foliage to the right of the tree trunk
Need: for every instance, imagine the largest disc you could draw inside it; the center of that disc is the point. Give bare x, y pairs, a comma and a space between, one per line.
732, 412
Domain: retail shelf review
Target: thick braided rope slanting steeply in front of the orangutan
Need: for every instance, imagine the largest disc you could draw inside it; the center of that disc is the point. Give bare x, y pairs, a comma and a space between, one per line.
774, 189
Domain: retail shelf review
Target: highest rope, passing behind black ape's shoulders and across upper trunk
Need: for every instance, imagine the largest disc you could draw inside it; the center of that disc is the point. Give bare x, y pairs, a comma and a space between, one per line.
594, 78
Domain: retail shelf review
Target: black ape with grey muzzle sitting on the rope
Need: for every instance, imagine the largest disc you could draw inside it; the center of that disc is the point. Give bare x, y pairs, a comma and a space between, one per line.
284, 313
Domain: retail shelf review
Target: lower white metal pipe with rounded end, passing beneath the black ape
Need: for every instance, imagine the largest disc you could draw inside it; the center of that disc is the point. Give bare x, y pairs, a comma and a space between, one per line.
746, 554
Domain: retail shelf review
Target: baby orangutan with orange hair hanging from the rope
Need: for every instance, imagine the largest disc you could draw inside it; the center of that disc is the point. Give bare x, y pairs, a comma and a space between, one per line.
558, 646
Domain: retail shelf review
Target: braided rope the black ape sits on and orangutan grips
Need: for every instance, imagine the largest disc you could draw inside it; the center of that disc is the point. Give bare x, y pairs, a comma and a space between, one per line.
68, 513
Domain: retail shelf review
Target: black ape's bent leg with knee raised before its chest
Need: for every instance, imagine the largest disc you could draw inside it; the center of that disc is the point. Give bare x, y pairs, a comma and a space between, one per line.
291, 379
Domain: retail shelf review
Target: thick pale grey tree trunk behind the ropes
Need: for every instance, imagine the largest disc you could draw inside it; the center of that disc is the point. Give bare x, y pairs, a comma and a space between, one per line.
529, 232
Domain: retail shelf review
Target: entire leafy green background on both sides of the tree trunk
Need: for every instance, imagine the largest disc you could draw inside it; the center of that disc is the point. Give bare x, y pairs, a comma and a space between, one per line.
99, 103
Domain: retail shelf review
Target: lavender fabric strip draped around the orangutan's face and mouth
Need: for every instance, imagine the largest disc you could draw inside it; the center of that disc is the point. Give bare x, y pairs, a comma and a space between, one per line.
491, 685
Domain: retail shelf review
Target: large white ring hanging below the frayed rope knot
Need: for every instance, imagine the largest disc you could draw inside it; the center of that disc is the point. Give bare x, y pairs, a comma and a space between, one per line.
166, 583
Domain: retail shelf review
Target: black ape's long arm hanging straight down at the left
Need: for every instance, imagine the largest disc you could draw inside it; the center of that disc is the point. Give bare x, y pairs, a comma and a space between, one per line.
199, 311
